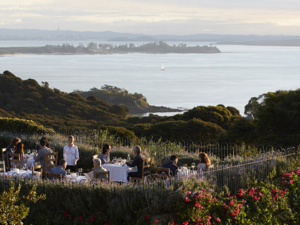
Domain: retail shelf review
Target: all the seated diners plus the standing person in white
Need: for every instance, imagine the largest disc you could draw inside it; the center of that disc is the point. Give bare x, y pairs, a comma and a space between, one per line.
71, 157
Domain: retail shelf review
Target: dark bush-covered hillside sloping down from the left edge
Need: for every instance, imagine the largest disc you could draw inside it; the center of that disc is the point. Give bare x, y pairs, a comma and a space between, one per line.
27, 99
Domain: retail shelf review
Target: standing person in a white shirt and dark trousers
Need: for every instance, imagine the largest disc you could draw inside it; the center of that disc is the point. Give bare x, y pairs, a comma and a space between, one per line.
71, 154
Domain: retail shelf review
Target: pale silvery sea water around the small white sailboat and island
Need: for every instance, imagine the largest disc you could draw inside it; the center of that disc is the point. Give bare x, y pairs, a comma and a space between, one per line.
230, 78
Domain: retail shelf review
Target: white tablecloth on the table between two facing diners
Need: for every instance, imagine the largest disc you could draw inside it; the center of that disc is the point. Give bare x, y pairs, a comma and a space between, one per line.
118, 173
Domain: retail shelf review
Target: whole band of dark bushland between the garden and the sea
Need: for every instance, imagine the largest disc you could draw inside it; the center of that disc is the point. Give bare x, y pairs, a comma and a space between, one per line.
276, 114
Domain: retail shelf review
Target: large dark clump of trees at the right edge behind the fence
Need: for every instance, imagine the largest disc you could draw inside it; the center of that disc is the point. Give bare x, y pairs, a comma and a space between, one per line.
276, 120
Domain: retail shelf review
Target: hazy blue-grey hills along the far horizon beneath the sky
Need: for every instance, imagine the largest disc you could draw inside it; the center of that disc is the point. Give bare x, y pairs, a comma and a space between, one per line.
67, 35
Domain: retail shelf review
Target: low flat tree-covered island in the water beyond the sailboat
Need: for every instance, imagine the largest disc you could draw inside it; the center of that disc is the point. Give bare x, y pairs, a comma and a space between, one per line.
159, 47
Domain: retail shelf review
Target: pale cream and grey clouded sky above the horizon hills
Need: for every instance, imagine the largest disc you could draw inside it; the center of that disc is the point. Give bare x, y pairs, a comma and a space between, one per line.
180, 17
